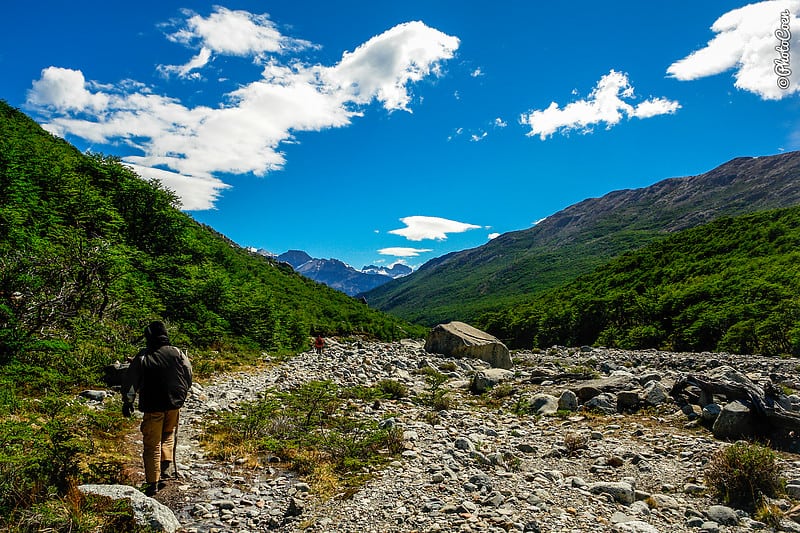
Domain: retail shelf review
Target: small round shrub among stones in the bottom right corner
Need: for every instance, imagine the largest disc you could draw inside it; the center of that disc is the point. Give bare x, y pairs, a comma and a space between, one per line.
742, 474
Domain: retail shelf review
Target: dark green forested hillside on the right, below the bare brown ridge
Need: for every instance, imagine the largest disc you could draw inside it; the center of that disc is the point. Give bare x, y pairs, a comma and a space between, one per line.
730, 285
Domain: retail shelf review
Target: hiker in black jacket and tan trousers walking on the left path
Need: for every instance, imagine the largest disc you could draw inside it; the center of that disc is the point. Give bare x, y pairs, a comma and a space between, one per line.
162, 375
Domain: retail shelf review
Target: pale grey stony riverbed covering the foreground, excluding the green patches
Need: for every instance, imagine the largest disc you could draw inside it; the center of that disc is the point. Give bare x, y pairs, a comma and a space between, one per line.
480, 466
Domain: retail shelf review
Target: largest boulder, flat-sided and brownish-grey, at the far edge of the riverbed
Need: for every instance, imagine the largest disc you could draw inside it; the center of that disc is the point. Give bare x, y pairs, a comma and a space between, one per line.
457, 339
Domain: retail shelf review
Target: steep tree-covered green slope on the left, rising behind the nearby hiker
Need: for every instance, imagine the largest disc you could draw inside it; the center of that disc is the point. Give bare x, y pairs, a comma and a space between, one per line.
88, 248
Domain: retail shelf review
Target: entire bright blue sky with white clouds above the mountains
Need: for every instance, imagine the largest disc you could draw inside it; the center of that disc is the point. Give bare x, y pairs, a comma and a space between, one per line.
376, 132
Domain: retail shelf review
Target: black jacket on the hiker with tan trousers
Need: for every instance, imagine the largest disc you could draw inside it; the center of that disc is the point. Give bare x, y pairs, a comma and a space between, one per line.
162, 376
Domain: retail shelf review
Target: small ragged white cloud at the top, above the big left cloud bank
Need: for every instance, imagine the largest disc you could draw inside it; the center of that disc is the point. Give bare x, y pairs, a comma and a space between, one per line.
234, 33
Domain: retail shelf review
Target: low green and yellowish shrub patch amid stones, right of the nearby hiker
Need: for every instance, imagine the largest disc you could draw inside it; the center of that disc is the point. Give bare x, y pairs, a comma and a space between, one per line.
311, 429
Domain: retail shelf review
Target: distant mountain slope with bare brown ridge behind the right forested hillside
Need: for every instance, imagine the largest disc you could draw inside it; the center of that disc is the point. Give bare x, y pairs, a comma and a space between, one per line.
574, 241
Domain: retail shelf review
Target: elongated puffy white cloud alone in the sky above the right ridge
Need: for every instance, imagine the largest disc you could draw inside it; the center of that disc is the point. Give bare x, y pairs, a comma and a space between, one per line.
605, 104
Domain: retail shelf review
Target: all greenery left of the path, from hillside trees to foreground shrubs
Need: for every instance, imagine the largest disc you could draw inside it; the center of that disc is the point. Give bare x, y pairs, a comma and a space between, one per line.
89, 253
